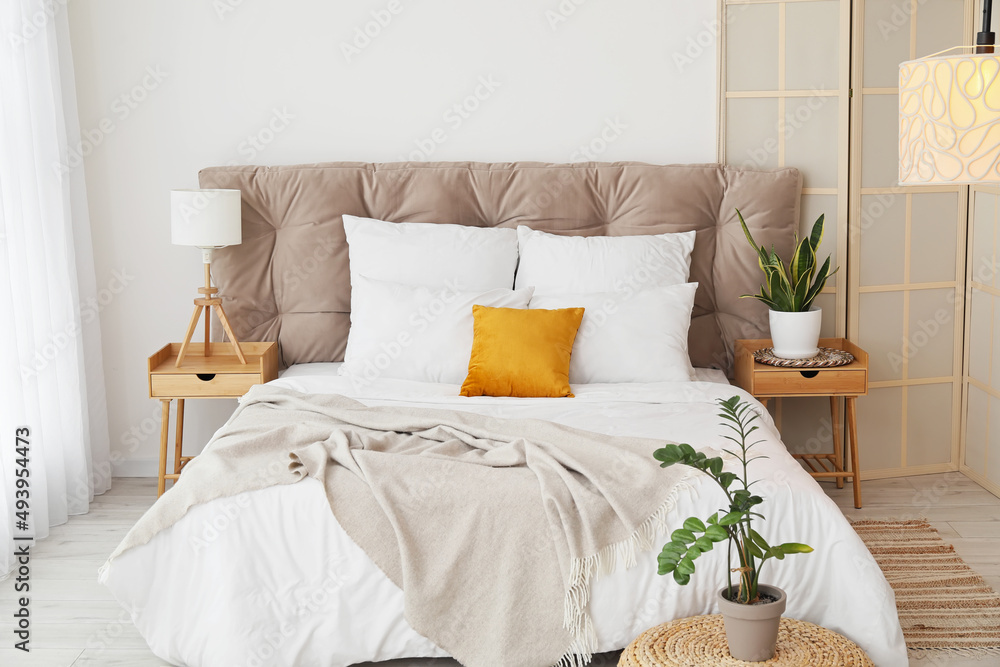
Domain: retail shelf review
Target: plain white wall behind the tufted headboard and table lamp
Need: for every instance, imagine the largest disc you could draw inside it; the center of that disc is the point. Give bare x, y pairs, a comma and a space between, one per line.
167, 87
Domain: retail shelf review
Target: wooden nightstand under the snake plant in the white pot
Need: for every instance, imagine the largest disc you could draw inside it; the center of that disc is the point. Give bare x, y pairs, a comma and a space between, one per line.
849, 382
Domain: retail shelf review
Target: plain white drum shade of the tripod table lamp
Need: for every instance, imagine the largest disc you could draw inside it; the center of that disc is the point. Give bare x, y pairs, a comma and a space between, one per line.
205, 218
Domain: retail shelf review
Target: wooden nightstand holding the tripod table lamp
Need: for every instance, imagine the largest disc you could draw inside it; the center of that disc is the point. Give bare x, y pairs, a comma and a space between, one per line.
218, 376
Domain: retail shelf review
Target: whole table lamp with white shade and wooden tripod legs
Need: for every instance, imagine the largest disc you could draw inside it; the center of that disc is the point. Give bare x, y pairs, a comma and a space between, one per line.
208, 219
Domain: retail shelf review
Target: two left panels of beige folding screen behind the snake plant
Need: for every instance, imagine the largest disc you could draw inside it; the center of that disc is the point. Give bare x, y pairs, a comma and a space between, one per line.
901, 251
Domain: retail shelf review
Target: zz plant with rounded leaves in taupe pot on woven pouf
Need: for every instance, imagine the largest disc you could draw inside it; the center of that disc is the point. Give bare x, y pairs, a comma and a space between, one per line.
751, 610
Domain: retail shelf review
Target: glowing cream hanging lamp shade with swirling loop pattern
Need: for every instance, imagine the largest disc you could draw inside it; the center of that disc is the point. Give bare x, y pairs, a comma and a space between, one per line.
949, 120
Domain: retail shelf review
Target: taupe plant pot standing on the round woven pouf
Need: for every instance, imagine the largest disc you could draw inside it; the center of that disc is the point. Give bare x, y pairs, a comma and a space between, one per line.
752, 629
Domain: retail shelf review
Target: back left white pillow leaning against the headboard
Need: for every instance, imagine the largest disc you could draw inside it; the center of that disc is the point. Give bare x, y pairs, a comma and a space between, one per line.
430, 254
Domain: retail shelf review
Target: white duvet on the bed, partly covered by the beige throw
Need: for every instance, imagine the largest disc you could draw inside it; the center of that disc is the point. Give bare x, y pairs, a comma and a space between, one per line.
269, 577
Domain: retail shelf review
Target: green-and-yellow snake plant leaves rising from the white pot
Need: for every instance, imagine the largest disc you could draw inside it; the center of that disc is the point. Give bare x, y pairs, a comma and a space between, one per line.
792, 288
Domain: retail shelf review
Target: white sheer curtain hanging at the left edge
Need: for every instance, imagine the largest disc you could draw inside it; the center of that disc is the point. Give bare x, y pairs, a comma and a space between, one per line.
51, 377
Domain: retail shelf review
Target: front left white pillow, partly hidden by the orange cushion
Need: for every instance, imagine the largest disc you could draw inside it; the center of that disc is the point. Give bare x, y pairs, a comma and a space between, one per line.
416, 333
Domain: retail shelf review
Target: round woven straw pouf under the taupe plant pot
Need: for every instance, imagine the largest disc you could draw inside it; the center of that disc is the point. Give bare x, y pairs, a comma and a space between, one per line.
701, 640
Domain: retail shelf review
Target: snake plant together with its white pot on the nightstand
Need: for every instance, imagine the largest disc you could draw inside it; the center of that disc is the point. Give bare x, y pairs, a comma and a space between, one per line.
789, 291
